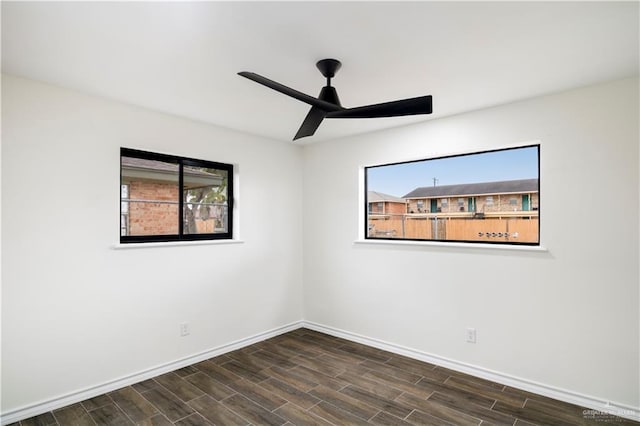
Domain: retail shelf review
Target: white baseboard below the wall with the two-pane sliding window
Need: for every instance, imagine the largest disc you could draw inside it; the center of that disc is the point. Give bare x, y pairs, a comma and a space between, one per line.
93, 391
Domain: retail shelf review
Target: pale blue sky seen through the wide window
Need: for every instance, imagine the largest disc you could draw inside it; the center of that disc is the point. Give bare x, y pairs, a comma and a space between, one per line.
400, 179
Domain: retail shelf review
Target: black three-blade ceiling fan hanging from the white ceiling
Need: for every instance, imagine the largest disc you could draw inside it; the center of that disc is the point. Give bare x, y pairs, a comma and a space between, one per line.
327, 104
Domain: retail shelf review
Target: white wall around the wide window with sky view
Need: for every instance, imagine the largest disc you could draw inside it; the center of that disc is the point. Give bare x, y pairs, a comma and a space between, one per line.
567, 318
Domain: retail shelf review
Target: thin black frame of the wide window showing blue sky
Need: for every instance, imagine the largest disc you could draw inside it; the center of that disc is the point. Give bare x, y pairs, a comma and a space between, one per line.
471, 242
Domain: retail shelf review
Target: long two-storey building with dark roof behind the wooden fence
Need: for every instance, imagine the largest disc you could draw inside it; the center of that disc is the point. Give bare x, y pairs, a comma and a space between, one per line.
512, 197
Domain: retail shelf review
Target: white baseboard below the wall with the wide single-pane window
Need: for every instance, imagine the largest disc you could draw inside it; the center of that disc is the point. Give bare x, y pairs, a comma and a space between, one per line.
599, 406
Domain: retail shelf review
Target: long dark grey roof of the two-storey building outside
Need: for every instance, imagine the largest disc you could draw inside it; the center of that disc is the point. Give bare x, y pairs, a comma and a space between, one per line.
500, 187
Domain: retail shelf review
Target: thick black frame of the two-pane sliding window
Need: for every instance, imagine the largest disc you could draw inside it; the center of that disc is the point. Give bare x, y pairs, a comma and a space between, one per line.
181, 162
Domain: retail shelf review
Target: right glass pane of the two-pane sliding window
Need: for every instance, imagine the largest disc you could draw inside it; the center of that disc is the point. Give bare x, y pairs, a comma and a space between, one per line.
205, 200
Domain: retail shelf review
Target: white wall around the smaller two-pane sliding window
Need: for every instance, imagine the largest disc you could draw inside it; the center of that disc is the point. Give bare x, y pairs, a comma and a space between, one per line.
77, 313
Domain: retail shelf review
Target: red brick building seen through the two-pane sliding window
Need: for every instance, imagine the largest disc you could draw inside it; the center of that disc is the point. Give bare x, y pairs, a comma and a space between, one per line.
149, 192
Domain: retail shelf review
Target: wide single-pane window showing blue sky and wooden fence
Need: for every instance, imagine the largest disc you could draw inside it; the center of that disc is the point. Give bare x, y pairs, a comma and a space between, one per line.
483, 188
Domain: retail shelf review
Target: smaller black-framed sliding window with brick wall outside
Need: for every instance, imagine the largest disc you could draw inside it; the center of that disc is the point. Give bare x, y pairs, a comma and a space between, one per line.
169, 198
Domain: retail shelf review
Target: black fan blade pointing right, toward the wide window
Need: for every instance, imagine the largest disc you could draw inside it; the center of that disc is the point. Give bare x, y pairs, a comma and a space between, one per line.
412, 106
